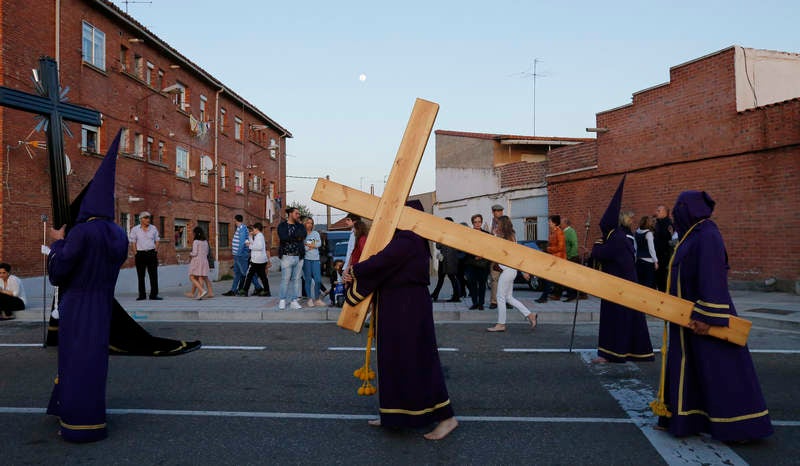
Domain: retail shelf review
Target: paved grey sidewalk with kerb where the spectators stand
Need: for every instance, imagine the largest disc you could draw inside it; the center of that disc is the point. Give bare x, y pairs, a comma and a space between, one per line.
765, 309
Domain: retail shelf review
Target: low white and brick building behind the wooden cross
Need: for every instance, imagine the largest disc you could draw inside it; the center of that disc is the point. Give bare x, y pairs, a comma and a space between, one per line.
475, 171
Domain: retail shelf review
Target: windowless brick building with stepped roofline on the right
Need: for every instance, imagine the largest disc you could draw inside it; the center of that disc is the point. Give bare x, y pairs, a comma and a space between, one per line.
727, 123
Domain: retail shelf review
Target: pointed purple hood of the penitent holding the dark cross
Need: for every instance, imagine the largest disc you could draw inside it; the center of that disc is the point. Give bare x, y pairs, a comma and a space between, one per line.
98, 197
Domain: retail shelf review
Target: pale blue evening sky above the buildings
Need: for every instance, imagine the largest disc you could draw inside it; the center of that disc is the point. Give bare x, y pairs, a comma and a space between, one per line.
299, 62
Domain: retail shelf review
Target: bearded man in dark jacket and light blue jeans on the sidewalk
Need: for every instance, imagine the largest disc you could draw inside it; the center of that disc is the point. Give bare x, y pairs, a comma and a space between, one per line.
292, 235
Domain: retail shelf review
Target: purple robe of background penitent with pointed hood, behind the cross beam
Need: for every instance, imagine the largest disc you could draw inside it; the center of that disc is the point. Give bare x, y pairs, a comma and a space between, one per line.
623, 334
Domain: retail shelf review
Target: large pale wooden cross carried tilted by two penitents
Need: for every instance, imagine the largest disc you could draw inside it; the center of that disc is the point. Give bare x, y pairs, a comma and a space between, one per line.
389, 213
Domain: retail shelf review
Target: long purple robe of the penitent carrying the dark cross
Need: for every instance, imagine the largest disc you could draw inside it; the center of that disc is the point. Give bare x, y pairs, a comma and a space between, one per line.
85, 266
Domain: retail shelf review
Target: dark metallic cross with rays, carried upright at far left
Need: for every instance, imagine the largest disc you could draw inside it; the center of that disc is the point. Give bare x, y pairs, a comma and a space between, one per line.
50, 106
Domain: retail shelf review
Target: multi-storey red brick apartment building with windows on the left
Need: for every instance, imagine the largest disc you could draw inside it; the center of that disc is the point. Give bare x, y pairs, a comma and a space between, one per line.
193, 152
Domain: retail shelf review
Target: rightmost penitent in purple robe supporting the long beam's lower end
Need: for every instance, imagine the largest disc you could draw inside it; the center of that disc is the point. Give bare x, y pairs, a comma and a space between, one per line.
711, 385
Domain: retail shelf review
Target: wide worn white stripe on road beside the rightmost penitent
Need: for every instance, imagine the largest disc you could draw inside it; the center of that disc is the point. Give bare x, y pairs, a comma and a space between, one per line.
634, 396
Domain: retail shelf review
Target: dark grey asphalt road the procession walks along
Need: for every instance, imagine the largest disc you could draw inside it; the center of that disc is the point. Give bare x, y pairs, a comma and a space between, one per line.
285, 395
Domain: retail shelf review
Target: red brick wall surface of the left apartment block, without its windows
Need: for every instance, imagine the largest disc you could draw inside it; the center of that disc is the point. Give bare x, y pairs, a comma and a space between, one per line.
27, 33
